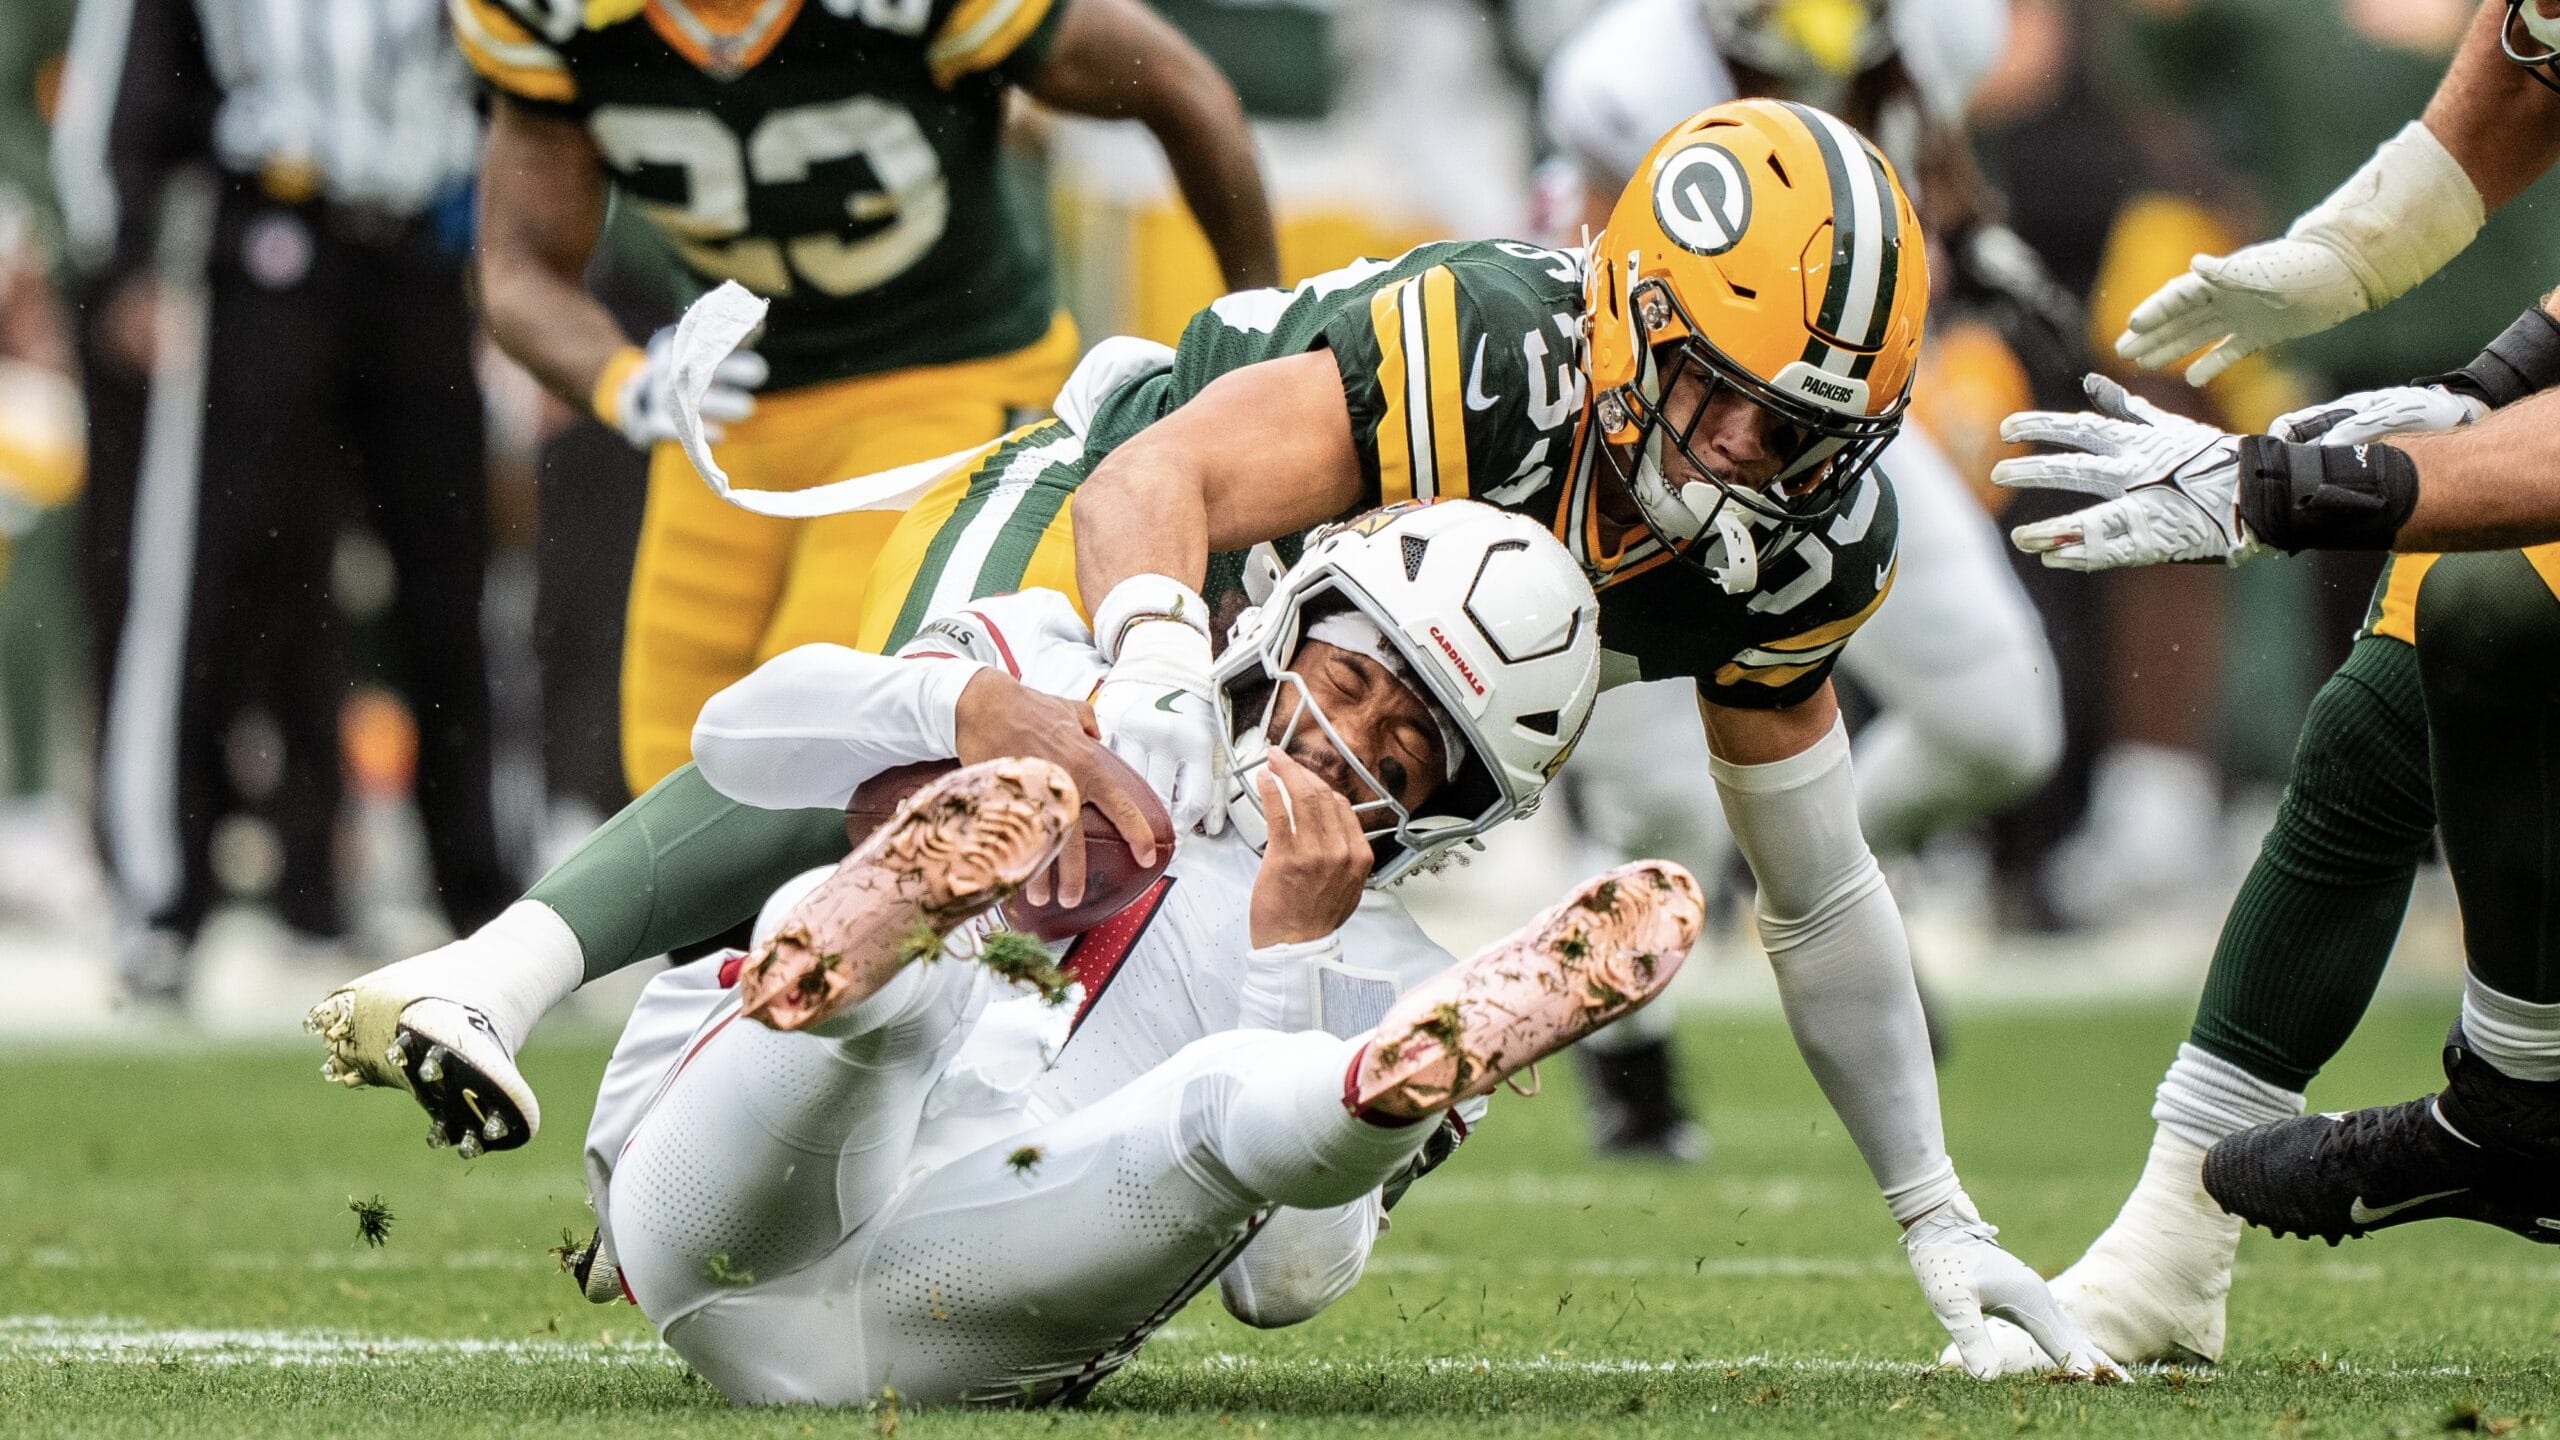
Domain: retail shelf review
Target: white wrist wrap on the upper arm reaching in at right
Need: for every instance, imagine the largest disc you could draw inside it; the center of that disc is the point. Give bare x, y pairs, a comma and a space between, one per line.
2397, 219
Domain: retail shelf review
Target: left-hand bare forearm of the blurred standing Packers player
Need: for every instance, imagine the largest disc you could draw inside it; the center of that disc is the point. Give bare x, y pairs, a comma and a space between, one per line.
541, 214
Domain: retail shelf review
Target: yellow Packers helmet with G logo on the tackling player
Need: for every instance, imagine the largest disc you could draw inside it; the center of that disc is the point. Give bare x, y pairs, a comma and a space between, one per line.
1768, 250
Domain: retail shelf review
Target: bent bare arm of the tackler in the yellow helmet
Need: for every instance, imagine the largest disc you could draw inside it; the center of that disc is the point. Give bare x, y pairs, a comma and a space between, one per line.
1261, 452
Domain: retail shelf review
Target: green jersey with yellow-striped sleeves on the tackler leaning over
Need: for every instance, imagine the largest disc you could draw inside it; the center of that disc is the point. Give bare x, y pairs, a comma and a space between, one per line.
1460, 370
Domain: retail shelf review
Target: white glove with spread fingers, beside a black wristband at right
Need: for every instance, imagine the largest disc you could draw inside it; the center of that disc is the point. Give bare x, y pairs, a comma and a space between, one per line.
2172, 486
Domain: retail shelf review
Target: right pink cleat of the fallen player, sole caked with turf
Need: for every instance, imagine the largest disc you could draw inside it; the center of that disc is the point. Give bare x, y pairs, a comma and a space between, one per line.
1573, 970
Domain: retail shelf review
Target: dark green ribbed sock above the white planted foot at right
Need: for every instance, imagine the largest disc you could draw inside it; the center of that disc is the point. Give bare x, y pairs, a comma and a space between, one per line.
2308, 939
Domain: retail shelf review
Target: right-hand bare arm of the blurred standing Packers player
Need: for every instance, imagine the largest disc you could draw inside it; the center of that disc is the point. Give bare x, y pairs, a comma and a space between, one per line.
1125, 63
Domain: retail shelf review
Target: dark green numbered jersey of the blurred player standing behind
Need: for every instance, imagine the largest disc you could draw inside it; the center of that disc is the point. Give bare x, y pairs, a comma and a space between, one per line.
838, 158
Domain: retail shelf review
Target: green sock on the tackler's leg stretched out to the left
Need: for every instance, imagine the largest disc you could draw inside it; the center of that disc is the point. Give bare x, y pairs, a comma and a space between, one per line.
677, 867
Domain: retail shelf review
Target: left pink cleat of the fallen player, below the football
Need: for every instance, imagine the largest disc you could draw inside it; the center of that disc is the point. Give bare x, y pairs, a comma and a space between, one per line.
951, 852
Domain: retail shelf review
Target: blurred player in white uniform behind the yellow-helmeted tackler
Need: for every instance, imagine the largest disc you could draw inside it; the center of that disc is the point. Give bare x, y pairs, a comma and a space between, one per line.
1957, 665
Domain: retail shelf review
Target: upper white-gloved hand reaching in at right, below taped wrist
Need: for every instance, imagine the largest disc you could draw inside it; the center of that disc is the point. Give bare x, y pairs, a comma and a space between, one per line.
2241, 304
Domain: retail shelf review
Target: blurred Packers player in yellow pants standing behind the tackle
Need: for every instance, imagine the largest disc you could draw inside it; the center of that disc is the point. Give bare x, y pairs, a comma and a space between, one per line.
846, 163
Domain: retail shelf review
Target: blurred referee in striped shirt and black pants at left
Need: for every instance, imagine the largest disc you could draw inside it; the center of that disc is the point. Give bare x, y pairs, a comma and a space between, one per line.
268, 206
